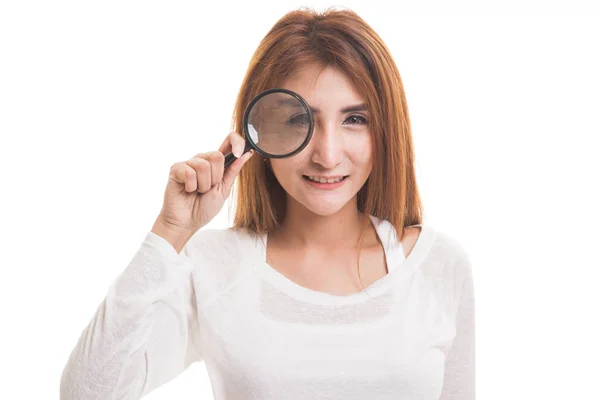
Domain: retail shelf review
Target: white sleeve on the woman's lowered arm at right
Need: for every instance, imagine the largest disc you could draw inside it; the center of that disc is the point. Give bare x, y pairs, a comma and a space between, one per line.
459, 377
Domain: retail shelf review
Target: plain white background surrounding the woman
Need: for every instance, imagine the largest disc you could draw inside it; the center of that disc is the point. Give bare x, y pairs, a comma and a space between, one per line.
98, 99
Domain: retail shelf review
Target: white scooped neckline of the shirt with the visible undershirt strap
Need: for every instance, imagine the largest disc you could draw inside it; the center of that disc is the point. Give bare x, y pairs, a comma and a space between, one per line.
399, 267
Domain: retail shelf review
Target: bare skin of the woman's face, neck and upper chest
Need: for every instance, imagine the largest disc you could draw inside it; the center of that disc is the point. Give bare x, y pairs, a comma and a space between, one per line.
315, 245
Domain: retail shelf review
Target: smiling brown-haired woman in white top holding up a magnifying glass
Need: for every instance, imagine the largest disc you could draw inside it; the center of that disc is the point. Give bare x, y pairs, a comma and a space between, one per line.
328, 285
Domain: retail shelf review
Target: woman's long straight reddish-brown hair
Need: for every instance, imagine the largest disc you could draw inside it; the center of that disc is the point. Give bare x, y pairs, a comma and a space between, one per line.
343, 40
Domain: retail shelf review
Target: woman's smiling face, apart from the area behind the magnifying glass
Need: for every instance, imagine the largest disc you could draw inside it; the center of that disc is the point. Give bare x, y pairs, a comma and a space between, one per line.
328, 173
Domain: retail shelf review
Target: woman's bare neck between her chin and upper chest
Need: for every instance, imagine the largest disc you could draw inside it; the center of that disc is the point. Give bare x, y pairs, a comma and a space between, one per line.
302, 228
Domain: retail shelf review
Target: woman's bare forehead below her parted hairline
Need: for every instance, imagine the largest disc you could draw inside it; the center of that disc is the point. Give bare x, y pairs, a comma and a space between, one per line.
322, 87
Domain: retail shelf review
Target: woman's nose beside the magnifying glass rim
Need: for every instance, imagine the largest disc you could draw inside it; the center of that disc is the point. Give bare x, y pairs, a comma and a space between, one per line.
327, 145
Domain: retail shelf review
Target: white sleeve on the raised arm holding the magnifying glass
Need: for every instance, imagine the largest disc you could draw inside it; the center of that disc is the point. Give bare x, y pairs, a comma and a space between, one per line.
142, 334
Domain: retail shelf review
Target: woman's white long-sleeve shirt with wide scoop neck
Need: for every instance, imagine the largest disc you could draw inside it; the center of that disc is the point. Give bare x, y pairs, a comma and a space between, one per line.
410, 335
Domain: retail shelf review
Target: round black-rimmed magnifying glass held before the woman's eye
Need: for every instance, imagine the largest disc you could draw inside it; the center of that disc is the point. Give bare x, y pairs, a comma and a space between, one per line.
278, 123
